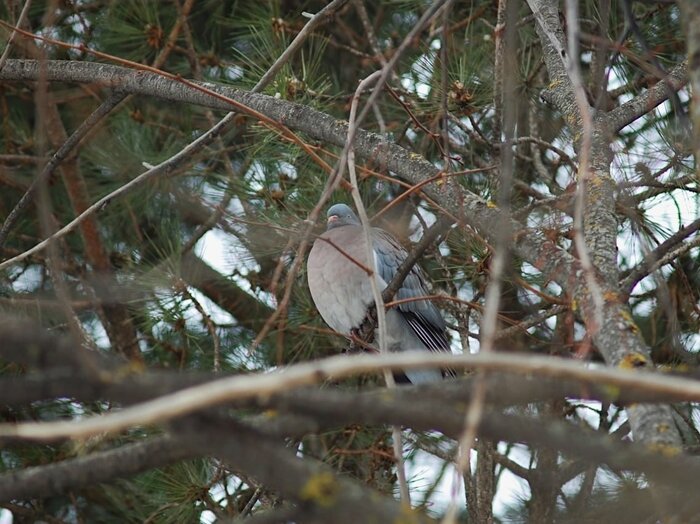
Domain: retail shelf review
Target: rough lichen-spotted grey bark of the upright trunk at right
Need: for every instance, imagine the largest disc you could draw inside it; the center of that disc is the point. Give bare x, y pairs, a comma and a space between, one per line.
618, 339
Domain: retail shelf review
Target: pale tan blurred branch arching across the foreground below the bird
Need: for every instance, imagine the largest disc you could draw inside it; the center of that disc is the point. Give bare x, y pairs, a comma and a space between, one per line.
230, 389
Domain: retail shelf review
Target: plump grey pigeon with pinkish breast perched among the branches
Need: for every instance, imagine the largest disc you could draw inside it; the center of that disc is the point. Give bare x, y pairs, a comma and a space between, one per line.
342, 293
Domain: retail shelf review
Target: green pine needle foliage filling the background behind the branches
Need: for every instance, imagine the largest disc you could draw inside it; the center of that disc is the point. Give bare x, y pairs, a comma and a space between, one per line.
264, 187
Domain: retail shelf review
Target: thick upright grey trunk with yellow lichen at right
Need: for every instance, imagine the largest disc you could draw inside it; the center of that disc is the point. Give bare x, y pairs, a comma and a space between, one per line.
605, 311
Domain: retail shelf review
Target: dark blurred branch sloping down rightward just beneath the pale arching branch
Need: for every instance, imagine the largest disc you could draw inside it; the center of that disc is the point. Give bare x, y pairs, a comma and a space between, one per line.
338, 408
